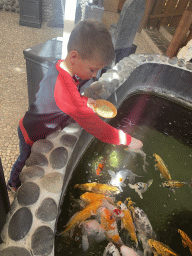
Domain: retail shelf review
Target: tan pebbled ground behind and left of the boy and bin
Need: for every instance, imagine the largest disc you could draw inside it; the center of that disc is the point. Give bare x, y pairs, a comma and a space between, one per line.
13, 81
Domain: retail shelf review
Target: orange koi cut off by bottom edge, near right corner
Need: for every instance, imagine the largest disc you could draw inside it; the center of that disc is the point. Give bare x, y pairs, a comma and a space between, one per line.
160, 248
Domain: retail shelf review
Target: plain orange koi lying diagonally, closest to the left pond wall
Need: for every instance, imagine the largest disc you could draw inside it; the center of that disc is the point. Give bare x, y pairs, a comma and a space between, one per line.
81, 216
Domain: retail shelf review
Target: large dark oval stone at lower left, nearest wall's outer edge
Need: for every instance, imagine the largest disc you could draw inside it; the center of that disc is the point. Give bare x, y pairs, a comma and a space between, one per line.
20, 224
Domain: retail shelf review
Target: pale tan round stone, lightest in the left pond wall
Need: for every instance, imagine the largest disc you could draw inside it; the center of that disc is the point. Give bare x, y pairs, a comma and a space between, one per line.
52, 182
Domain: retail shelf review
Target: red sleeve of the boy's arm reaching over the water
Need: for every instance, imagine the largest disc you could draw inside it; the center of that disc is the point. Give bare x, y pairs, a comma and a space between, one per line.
69, 100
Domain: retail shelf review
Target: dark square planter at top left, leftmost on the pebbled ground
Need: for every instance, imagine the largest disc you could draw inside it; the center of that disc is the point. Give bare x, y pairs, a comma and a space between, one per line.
30, 13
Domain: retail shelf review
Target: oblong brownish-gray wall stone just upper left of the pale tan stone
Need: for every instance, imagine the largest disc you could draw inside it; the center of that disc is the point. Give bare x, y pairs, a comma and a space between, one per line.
32, 172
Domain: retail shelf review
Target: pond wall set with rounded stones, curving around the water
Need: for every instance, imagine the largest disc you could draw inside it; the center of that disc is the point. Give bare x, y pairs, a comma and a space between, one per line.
31, 222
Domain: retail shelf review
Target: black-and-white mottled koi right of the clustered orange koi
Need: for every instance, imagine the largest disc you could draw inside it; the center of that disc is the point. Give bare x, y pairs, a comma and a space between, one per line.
144, 229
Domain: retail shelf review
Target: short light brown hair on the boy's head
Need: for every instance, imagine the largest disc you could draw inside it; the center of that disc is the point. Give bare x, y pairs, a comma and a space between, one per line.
91, 38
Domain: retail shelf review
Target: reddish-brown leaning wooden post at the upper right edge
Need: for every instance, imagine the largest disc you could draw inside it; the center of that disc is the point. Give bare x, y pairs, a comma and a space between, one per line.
180, 33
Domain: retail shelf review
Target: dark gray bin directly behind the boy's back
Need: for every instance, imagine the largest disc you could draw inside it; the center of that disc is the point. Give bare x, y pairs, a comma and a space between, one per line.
38, 59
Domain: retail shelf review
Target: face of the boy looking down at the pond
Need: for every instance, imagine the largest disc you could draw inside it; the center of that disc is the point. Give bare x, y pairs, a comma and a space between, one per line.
86, 69
